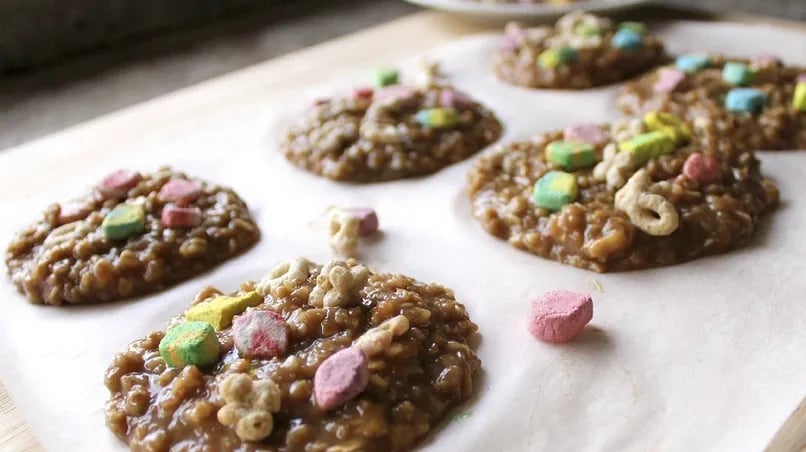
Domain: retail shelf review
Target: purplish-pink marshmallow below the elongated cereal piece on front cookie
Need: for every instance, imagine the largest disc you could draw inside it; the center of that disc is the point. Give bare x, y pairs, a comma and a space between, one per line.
340, 378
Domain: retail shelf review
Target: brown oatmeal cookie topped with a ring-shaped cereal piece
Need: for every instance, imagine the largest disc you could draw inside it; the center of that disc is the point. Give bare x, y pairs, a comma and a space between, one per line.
616, 213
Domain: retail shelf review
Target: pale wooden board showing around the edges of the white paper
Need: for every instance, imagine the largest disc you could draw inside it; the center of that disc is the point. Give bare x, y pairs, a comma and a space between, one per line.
276, 78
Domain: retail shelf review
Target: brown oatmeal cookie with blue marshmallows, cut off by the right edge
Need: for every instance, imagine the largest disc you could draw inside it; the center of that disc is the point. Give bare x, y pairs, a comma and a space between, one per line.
700, 96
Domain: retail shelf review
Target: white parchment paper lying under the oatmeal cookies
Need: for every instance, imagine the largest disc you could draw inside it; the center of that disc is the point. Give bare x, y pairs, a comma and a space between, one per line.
702, 356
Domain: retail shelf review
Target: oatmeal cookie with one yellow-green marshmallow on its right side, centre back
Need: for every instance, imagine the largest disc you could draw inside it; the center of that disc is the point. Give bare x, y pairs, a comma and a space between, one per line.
389, 133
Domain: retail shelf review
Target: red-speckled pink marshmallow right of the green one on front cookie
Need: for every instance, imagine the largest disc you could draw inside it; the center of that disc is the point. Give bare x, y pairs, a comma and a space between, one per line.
260, 334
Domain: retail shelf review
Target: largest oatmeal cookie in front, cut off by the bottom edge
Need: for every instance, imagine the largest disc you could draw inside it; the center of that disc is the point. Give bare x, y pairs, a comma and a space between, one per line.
415, 338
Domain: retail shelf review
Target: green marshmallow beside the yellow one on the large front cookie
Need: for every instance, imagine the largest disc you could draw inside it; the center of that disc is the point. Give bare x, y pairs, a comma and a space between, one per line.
190, 344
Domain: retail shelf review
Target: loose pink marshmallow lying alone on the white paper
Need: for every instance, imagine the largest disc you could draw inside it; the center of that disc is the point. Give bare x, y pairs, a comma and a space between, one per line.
559, 316
